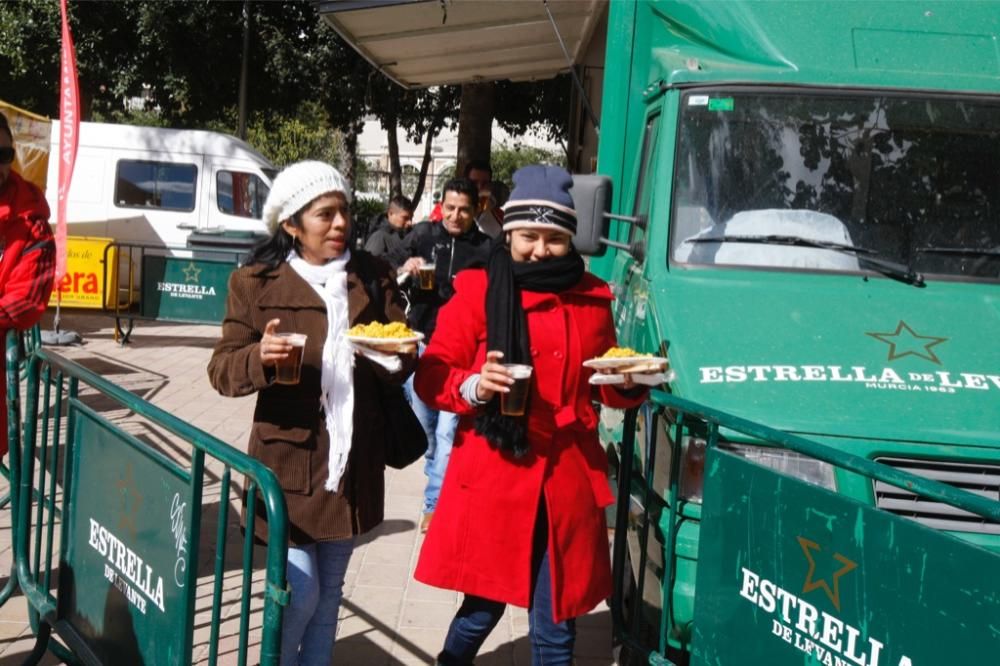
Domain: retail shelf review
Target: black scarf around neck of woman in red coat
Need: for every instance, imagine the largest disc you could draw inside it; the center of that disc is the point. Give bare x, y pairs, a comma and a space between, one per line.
507, 331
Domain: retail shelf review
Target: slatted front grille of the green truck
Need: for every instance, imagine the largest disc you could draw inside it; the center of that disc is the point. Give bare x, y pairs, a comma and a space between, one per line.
975, 478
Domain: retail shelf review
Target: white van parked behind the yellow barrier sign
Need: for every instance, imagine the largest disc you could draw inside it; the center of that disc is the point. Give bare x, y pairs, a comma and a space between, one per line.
157, 186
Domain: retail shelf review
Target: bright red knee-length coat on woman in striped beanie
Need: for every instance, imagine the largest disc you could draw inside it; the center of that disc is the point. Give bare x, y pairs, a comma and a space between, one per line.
481, 537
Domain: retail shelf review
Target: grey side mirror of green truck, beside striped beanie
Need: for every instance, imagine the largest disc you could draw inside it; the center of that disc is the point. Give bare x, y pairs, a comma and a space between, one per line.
592, 199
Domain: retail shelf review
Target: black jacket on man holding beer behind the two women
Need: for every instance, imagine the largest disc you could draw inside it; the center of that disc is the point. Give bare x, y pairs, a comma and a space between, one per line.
450, 254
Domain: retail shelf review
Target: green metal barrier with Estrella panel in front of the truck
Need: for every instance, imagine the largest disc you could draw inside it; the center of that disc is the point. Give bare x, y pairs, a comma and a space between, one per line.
789, 572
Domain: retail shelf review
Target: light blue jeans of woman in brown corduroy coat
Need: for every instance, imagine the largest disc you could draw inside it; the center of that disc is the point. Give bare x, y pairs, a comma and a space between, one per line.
316, 577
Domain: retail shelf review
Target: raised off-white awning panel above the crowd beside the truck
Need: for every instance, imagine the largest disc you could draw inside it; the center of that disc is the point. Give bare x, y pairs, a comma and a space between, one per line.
420, 43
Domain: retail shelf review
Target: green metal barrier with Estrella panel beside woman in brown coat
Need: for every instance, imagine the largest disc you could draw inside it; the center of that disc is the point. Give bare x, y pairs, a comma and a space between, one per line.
130, 520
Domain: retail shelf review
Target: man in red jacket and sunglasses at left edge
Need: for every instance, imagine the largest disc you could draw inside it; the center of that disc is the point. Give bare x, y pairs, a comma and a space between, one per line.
27, 256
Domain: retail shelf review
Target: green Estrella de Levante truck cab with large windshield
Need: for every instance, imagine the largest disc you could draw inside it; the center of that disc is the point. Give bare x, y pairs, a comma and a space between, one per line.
805, 218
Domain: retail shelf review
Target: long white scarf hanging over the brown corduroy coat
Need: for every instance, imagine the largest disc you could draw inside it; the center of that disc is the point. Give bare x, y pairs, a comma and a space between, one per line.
330, 282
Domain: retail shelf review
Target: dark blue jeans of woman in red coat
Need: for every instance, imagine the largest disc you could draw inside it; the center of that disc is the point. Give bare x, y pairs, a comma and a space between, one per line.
551, 642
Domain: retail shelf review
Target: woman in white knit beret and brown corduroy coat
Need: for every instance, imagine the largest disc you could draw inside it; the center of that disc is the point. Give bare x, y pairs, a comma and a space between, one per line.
322, 436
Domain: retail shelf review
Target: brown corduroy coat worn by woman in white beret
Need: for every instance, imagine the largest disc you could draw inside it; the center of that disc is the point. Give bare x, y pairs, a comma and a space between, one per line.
289, 431
